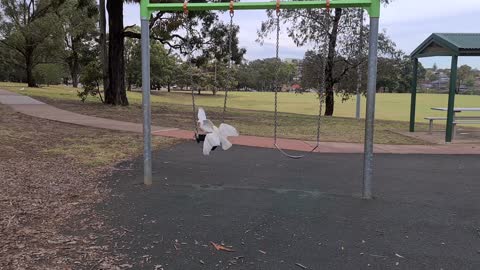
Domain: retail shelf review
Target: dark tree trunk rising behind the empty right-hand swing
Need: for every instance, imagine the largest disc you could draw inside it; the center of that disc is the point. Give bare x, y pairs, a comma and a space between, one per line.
329, 81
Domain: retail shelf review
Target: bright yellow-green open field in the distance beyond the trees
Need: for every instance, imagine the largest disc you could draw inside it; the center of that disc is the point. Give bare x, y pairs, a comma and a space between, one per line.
388, 106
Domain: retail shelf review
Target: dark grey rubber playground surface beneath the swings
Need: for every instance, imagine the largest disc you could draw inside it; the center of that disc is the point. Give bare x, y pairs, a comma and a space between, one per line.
276, 213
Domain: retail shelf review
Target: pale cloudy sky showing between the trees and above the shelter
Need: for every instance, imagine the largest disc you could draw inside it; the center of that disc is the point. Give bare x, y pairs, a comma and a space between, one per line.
407, 22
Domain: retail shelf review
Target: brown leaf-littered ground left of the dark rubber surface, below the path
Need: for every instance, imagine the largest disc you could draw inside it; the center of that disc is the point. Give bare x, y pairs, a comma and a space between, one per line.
52, 177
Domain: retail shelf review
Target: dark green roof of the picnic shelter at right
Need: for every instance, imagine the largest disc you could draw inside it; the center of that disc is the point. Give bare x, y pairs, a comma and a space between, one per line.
449, 44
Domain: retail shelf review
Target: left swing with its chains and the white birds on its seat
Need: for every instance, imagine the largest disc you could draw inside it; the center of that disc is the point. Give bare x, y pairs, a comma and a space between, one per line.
211, 136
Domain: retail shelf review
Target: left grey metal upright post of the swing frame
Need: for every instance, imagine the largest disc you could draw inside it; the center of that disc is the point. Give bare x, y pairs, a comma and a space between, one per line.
147, 115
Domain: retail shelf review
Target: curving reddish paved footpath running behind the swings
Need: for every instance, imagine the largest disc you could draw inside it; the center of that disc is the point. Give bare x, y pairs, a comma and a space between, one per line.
32, 107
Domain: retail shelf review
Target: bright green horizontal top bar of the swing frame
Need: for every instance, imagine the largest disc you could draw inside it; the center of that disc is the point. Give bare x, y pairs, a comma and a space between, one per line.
372, 6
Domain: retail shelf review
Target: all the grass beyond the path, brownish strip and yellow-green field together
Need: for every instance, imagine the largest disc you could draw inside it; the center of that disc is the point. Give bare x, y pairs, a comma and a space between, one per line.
252, 112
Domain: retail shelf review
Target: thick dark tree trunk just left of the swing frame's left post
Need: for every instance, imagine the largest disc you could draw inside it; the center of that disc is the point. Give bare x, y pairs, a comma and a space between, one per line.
116, 94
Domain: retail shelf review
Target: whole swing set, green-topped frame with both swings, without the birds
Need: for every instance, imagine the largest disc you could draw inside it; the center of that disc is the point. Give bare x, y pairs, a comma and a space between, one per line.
373, 8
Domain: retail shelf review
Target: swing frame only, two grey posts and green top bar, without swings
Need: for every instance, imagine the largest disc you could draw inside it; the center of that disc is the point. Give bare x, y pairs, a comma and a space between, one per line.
371, 6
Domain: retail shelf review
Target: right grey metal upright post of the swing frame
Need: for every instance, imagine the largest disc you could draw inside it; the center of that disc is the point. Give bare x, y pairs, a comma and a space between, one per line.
370, 113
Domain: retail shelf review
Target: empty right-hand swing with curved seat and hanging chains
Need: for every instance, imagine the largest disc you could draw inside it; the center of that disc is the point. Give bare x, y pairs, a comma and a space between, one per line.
276, 89
